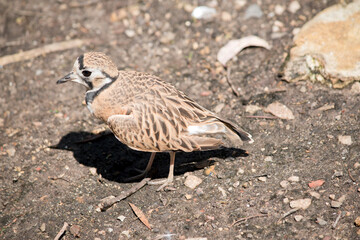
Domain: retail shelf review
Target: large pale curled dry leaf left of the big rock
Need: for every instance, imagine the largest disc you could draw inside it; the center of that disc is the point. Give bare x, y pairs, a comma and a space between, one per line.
233, 47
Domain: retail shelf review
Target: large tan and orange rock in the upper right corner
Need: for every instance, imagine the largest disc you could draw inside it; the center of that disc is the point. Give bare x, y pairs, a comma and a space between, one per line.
324, 48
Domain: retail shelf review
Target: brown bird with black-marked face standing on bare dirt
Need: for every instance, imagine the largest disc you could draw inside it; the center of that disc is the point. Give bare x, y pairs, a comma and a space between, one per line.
148, 114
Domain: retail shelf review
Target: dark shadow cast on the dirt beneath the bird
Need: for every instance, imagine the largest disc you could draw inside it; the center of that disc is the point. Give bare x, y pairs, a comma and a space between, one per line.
116, 162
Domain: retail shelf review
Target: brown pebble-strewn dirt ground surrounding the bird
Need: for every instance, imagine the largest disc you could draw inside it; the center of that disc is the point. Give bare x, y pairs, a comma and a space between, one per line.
42, 187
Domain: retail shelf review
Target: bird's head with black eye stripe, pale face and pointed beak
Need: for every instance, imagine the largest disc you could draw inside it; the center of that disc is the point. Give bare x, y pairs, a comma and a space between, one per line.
93, 70
